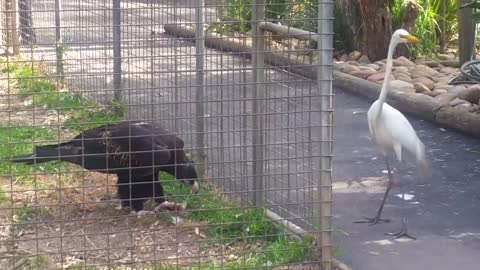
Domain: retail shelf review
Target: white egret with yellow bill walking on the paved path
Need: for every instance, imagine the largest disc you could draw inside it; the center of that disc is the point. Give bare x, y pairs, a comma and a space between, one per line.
392, 132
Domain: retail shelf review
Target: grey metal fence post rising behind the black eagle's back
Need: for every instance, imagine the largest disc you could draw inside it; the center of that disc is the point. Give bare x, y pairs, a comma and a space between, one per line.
117, 49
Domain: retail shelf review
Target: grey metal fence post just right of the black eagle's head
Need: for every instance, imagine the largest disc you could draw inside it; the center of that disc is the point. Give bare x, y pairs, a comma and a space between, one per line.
199, 95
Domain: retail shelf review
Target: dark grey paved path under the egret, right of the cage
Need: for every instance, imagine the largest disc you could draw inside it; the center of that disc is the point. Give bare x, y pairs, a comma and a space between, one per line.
444, 213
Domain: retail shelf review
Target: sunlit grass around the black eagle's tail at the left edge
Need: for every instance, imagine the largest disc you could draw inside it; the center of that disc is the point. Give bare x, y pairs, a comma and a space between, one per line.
82, 112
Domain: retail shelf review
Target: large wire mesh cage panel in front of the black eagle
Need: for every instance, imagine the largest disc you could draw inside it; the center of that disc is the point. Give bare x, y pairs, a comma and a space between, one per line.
108, 101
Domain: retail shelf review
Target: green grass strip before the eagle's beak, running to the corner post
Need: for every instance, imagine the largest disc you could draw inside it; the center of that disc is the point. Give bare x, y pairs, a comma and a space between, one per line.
227, 223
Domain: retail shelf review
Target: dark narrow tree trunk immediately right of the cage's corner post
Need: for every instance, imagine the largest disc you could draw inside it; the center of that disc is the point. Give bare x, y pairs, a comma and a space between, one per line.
350, 11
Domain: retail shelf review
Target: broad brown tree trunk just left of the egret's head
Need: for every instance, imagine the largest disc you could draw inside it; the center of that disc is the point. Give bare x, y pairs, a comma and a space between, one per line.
377, 28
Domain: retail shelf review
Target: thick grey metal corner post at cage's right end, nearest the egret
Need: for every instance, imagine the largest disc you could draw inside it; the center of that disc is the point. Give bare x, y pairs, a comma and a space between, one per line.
324, 79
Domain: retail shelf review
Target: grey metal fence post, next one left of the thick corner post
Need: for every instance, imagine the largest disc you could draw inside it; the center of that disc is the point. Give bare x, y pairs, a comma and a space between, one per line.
258, 15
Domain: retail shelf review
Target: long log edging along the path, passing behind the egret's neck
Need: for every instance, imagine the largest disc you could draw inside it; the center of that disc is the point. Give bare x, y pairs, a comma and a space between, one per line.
420, 105
